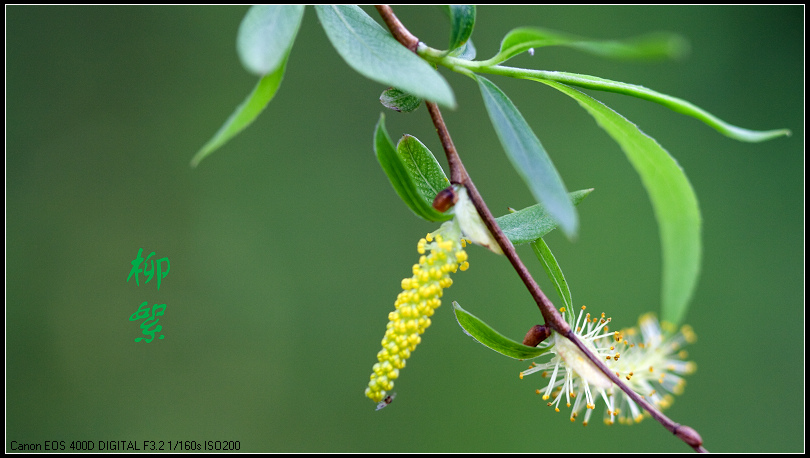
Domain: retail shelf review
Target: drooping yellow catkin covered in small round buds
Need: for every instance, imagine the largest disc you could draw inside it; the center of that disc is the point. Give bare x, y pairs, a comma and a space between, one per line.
442, 253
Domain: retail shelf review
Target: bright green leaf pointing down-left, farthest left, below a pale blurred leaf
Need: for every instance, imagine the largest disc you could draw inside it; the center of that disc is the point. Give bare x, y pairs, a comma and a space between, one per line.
244, 114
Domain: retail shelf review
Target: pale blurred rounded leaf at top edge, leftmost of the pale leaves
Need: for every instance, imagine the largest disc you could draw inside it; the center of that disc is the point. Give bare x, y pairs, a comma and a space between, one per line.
266, 35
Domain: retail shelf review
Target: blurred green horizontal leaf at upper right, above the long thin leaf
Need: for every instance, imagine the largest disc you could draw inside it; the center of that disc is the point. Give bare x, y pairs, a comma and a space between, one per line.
659, 45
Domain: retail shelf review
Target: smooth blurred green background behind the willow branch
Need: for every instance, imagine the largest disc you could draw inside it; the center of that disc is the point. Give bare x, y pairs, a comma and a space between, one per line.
287, 246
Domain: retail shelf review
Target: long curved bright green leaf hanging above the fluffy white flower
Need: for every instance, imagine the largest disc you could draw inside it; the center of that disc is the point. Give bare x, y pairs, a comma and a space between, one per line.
673, 199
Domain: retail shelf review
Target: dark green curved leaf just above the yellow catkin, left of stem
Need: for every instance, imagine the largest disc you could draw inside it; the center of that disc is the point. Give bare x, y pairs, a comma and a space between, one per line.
400, 177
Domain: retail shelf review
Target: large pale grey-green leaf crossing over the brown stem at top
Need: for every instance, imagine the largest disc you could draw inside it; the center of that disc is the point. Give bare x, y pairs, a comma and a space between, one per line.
374, 53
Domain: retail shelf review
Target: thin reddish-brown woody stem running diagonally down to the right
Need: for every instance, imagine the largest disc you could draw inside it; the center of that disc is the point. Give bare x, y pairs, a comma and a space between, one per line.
550, 314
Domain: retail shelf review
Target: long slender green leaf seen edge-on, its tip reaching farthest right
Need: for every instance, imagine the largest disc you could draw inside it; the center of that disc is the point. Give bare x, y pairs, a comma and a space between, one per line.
673, 103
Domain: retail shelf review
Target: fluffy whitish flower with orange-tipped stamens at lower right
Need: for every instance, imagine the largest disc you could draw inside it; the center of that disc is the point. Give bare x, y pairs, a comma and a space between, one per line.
652, 361
